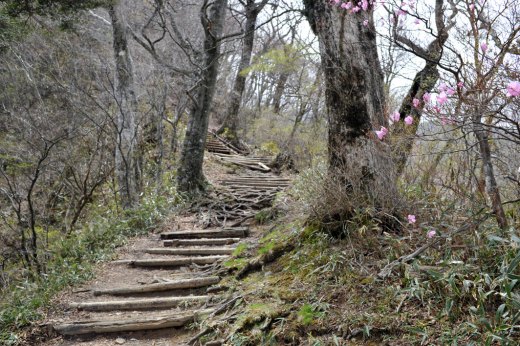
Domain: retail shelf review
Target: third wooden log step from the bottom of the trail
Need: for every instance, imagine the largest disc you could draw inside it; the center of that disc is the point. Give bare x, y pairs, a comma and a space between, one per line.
160, 287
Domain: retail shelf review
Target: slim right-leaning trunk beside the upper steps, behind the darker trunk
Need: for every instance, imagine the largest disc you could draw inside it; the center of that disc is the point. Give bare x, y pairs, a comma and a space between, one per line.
230, 125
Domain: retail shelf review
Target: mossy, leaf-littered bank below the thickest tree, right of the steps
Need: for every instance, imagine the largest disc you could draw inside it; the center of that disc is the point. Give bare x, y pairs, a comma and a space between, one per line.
325, 292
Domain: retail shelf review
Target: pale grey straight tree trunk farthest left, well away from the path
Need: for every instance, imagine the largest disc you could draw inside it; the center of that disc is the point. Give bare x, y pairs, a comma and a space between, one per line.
127, 168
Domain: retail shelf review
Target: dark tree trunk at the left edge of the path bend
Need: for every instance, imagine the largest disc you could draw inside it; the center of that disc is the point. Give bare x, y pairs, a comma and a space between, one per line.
190, 176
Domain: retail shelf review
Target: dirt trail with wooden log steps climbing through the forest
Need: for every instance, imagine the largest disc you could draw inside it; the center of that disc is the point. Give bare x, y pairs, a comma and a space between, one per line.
164, 281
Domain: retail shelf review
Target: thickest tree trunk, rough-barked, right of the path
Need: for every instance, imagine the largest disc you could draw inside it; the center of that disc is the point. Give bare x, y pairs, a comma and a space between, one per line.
358, 162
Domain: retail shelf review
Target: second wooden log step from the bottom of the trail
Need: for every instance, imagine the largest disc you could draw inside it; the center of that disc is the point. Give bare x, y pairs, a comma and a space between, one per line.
136, 304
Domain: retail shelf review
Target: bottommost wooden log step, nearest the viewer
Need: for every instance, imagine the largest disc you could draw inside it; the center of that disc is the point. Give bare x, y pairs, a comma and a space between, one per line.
129, 324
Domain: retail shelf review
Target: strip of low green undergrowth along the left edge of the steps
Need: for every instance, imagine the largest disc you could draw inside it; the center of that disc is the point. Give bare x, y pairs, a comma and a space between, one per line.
71, 262
